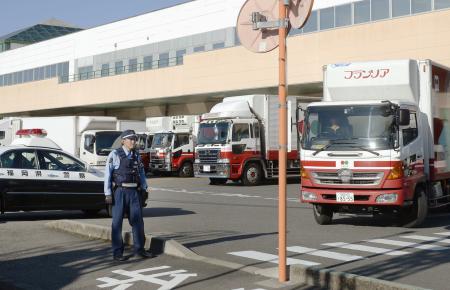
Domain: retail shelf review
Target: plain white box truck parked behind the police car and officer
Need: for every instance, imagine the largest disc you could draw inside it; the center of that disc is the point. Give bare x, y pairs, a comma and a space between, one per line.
89, 138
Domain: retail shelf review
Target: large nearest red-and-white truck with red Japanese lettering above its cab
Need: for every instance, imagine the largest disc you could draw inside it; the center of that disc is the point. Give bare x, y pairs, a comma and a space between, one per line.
379, 141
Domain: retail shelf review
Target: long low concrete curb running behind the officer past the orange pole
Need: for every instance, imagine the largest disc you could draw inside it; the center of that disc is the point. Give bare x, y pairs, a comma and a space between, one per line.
312, 276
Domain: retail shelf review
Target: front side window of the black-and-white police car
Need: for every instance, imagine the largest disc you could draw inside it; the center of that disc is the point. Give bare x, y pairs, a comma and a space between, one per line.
49, 160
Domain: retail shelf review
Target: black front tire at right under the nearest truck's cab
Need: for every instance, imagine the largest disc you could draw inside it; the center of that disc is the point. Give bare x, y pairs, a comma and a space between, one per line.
415, 214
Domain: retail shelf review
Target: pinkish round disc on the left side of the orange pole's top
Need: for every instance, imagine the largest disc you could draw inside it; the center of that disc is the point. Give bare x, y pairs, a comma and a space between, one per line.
260, 40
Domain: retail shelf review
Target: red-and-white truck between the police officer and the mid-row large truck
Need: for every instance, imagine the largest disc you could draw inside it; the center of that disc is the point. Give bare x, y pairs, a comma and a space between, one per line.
172, 150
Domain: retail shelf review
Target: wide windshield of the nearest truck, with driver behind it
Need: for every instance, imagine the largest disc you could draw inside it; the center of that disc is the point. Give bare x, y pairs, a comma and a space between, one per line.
346, 128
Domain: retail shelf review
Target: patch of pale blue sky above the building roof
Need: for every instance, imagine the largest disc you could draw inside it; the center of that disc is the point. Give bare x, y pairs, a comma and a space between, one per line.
18, 14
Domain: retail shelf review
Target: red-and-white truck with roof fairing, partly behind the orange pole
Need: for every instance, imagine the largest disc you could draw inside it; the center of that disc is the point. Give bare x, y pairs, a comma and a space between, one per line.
238, 140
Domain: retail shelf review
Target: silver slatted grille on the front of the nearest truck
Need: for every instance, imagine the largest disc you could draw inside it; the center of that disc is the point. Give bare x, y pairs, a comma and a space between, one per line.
358, 178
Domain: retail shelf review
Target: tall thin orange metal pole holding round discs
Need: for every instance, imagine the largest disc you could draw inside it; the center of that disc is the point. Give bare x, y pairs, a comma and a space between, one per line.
282, 153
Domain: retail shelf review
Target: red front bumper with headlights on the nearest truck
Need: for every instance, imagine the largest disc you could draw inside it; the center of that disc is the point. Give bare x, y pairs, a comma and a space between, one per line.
368, 197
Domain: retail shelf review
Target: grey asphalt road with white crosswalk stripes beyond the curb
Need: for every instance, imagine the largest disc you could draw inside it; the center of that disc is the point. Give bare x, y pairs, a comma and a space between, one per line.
239, 224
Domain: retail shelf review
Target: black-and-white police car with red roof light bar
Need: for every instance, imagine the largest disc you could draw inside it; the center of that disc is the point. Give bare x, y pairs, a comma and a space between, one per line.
36, 174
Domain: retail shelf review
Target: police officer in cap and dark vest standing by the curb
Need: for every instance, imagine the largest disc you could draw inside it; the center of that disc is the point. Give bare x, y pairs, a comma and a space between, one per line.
124, 170
